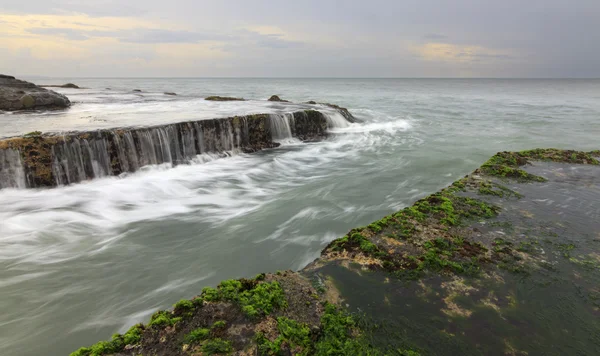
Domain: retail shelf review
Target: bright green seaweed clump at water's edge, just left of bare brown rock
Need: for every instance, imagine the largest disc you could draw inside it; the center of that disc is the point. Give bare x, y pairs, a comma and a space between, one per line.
256, 298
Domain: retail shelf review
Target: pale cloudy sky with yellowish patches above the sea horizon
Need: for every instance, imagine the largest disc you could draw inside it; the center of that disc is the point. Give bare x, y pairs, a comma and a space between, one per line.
300, 38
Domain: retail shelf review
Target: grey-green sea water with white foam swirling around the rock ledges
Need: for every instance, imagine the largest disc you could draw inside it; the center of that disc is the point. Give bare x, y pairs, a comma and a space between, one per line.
81, 262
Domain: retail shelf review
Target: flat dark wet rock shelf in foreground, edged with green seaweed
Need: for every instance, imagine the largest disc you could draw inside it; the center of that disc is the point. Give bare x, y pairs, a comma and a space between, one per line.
505, 261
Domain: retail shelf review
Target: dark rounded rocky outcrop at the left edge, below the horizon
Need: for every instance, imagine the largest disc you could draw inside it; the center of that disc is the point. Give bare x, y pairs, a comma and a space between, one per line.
18, 94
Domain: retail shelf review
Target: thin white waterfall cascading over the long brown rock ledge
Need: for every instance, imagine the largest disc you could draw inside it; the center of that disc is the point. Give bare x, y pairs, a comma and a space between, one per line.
52, 160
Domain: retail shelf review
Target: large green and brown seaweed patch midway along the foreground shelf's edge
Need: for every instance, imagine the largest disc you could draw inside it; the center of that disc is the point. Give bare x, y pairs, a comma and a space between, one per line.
434, 215
